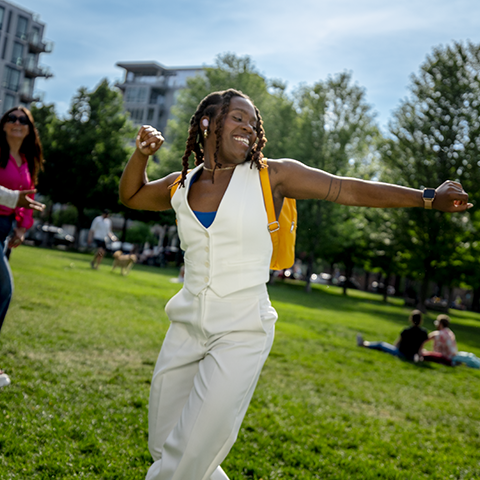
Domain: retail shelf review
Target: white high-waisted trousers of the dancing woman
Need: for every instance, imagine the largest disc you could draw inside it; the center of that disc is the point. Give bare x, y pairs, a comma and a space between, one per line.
204, 379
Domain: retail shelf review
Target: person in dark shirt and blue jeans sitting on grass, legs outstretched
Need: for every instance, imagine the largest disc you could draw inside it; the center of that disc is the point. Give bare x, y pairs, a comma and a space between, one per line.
408, 345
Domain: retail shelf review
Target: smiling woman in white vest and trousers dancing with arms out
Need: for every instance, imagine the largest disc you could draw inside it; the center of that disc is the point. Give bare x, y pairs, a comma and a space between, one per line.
222, 321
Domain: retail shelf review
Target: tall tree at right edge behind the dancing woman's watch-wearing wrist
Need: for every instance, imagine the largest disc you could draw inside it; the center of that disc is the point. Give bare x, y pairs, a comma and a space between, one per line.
436, 138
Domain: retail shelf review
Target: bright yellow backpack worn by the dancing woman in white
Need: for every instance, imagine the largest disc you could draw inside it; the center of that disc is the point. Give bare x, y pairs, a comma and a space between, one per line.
283, 232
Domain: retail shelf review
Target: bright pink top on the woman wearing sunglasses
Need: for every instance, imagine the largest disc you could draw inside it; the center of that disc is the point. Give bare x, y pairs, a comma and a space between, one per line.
17, 178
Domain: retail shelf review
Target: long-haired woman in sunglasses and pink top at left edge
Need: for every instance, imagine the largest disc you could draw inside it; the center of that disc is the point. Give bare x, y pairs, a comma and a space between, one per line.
21, 159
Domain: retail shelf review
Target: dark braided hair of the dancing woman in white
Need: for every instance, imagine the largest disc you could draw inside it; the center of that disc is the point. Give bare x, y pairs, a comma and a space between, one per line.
215, 106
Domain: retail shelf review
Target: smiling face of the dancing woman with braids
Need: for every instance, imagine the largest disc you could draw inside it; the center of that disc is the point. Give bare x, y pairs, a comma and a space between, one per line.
239, 132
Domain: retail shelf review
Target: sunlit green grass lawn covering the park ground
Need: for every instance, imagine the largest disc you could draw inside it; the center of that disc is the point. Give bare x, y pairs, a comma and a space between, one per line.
80, 346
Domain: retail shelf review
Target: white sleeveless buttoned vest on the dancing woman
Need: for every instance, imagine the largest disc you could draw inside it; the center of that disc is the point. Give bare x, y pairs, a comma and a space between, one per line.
234, 252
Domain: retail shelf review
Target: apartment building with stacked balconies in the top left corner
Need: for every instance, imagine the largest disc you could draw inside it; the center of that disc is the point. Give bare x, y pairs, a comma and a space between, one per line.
21, 44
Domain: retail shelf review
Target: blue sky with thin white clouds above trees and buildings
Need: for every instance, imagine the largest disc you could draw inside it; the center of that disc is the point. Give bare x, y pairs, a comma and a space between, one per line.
382, 42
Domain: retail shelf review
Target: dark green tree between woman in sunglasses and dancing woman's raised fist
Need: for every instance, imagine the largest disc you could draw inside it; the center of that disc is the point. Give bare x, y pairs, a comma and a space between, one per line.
86, 152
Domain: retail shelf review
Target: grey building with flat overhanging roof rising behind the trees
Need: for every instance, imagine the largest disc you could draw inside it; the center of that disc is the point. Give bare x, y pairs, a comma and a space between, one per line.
150, 90
